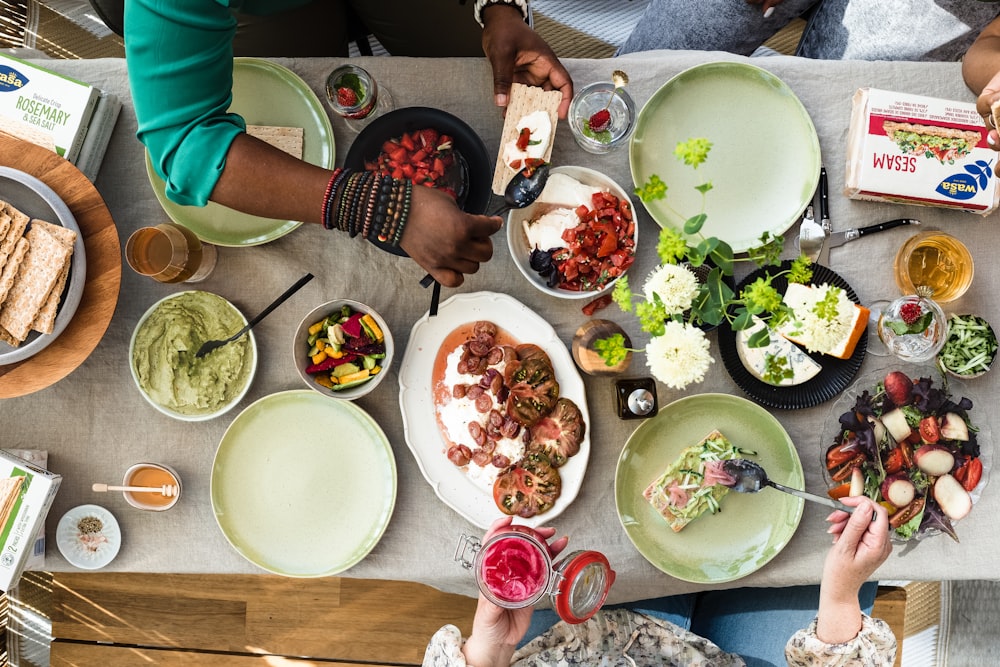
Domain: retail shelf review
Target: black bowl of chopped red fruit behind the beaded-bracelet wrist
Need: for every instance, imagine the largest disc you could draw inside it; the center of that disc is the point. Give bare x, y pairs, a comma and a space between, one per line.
431, 147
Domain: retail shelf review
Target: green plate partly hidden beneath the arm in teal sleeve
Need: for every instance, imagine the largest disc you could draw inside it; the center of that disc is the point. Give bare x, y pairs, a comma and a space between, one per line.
264, 94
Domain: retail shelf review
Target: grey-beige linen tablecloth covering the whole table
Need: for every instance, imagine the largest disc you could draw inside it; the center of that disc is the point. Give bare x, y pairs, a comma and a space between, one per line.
94, 423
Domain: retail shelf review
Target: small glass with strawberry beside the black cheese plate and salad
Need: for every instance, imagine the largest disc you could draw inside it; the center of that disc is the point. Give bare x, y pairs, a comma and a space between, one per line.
912, 328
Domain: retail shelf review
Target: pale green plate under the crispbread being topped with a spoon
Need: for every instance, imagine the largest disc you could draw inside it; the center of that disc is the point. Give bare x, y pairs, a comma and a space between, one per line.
750, 530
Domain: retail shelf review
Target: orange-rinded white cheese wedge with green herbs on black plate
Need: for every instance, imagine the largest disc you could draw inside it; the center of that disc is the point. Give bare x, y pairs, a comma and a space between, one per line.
825, 319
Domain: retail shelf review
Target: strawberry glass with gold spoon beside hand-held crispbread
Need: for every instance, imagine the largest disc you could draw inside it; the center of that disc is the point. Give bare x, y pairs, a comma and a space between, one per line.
602, 115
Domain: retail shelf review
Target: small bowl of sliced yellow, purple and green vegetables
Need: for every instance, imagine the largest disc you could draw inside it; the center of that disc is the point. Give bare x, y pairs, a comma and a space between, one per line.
343, 349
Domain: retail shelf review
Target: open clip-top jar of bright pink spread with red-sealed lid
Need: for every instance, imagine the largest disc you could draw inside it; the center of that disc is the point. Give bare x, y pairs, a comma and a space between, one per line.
516, 569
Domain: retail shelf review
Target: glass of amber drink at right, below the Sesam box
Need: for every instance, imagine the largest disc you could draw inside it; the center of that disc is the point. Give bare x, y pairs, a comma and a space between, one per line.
934, 264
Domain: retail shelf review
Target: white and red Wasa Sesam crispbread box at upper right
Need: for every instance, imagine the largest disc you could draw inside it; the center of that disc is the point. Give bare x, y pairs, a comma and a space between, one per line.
912, 149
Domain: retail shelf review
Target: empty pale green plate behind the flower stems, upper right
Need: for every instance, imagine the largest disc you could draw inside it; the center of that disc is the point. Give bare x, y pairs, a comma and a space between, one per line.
765, 158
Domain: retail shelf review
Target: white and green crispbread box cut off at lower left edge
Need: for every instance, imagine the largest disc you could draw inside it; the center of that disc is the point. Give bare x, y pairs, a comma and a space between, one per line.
26, 493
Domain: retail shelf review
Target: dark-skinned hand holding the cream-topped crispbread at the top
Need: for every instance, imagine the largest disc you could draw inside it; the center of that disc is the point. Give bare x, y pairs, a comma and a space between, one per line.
518, 54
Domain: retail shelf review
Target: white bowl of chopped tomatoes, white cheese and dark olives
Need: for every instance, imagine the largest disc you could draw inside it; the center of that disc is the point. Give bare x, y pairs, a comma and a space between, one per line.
584, 222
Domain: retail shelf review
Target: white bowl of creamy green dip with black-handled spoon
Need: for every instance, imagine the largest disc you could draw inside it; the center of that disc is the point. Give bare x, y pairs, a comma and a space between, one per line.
164, 366
